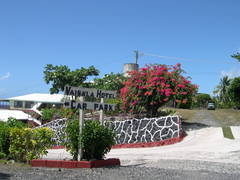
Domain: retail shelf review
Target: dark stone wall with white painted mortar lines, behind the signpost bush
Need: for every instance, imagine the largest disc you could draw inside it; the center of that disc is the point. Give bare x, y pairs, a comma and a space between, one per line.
133, 130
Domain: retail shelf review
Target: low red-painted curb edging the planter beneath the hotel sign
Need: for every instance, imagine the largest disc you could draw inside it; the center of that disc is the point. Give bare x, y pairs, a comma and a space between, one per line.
74, 164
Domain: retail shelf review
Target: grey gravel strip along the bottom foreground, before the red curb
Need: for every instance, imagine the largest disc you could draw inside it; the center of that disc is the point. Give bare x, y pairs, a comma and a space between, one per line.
173, 169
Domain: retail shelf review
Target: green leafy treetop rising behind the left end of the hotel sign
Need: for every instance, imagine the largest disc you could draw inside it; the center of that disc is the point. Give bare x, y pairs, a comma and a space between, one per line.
59, 76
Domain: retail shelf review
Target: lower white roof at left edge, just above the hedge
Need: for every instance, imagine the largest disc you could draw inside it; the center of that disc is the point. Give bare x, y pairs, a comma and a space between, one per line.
19, 115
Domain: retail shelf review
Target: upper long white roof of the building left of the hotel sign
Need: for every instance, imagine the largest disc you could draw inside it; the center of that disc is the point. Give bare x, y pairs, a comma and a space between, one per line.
37, 97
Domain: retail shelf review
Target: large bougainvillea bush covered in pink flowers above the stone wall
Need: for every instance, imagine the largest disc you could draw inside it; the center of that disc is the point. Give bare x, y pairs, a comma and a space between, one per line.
153, 86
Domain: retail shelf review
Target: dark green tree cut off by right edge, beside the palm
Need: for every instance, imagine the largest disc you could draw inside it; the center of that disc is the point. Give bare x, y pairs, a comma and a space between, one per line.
234, 92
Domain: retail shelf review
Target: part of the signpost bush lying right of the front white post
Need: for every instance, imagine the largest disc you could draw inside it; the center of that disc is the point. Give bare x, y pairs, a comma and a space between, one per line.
96, 140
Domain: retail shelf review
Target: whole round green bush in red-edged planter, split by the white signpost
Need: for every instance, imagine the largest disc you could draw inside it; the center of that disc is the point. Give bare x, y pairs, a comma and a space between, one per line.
96, 140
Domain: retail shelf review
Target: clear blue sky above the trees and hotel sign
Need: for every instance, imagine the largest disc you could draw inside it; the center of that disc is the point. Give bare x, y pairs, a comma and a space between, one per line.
203, 34
